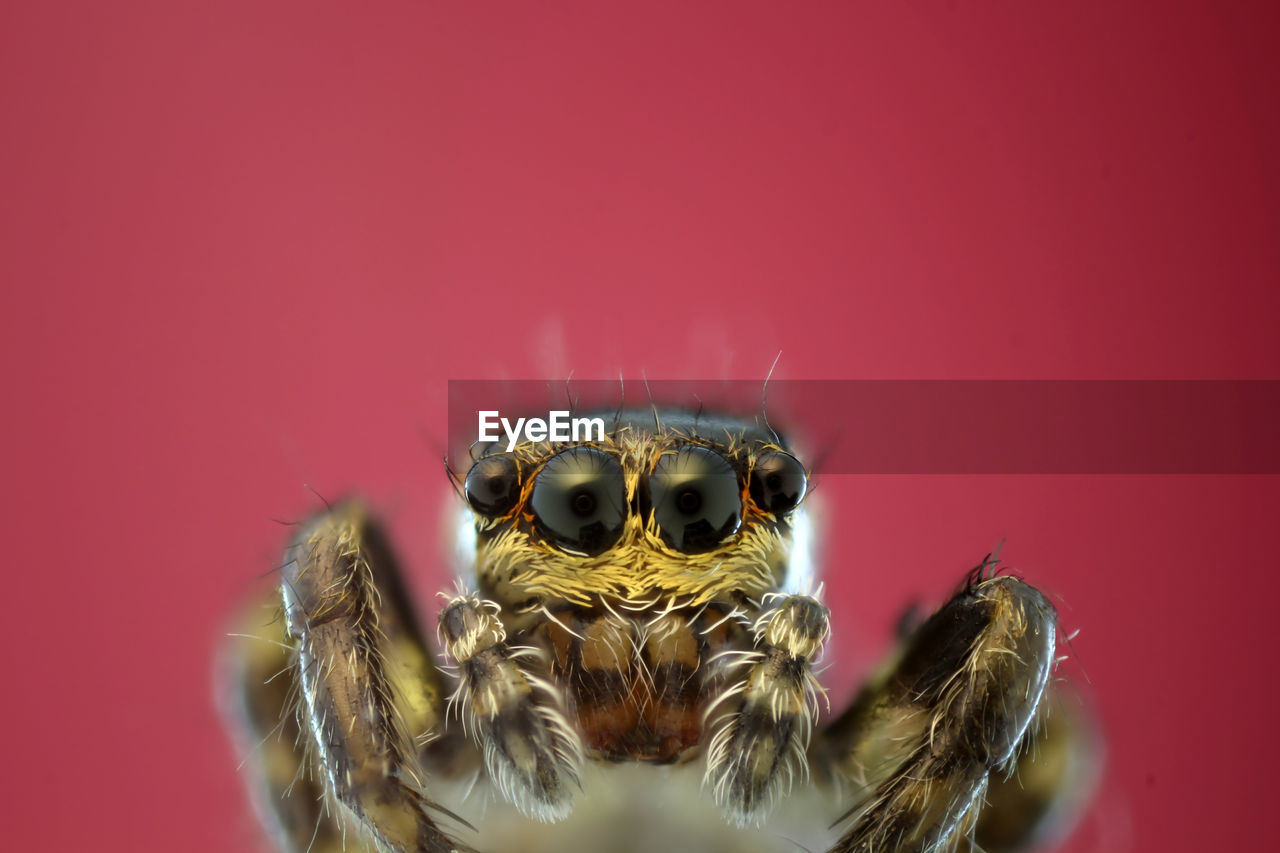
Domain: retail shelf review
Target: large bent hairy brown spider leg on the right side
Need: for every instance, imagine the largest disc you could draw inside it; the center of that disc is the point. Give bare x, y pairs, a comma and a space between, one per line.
958, 704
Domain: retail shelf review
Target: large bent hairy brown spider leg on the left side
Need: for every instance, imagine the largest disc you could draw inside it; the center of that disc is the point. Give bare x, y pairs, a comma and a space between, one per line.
367, 682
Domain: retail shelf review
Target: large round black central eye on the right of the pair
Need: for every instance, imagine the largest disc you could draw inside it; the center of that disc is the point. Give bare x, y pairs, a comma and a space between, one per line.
696, 499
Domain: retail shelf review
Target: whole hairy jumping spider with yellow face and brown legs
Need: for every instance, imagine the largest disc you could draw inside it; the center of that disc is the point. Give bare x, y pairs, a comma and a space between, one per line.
629, 665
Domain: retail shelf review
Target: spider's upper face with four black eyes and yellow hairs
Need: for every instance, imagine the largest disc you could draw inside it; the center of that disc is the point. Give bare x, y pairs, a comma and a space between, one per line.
655, 505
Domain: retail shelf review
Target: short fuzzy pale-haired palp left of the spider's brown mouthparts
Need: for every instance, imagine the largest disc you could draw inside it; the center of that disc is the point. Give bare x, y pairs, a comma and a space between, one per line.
518, 718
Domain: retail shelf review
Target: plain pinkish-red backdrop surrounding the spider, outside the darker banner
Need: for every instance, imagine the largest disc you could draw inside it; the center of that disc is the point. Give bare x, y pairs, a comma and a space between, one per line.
246, 244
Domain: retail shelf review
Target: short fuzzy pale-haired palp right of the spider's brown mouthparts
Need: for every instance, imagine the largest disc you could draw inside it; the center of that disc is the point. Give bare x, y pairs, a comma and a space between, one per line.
762, 723
